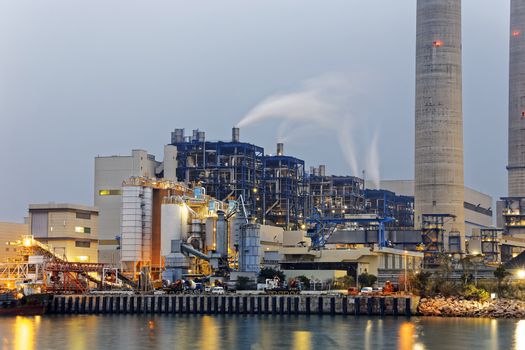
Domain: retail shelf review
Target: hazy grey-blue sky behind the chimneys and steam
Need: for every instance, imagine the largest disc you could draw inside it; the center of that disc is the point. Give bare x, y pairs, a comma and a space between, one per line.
101, 77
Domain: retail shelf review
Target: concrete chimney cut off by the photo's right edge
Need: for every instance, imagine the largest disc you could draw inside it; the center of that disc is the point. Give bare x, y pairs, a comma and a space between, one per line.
516, 165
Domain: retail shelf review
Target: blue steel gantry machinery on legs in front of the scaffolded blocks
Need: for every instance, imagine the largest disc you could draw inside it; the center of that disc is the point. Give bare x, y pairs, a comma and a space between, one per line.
324, 227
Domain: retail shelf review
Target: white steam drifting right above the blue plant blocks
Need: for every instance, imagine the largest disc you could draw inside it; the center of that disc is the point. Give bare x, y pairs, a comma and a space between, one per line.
320, 104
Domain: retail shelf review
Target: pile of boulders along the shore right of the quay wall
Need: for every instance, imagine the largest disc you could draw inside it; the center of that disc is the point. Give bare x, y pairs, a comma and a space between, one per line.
460, 307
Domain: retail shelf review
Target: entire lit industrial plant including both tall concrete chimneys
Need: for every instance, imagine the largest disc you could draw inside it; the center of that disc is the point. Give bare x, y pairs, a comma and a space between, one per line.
213, 213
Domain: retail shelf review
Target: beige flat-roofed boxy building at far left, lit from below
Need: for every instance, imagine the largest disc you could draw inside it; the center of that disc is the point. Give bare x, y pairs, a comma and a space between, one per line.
70, 230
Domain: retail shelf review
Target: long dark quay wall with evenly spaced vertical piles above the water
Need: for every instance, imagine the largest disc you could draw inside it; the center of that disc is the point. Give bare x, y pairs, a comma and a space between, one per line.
233, 304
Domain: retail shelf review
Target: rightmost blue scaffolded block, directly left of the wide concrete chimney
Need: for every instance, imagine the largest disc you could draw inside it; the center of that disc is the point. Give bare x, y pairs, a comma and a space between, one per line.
386, 203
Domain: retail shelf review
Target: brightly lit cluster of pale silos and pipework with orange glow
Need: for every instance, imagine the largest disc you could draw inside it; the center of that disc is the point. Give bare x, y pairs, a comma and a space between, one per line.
172, 230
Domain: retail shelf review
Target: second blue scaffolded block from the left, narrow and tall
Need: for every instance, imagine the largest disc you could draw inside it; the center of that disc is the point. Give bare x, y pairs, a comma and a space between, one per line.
284, 191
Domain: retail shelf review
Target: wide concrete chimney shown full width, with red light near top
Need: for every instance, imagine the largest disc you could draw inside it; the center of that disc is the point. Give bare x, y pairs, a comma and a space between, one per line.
439, 183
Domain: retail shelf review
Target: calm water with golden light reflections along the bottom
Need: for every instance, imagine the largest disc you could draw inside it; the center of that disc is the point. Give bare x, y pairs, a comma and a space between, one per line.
256, 332
